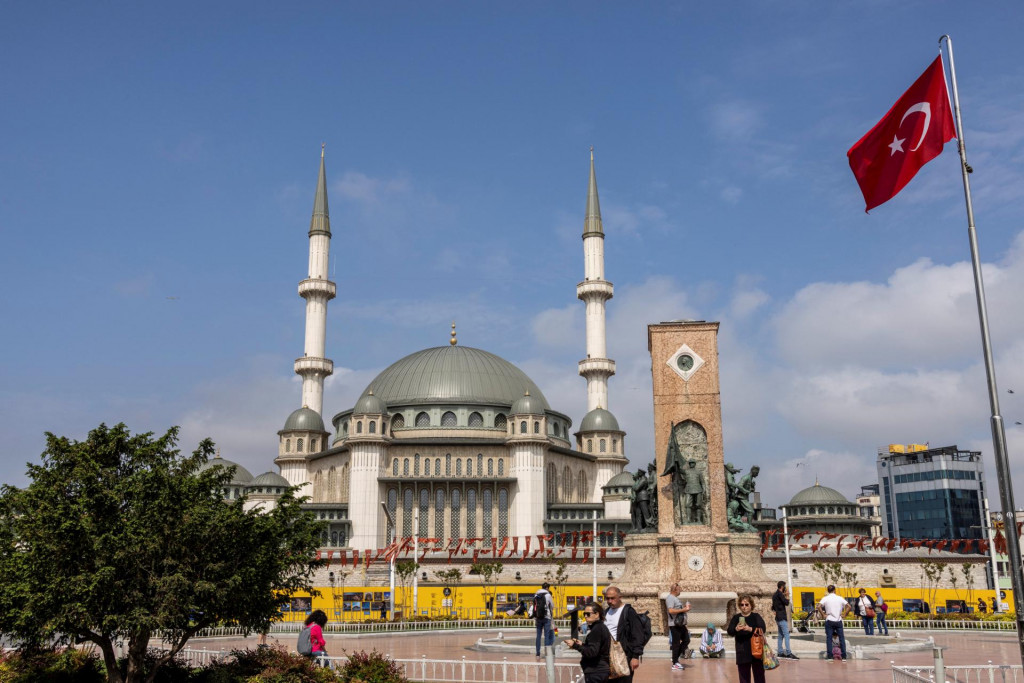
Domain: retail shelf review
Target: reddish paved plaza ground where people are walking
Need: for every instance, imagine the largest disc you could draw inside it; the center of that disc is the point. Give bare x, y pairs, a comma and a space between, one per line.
961, 649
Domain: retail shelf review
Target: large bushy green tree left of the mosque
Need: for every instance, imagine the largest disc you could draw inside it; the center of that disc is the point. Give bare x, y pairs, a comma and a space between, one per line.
120, 538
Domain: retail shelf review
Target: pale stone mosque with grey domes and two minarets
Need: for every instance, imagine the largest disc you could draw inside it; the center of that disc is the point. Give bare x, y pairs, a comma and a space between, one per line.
451, 442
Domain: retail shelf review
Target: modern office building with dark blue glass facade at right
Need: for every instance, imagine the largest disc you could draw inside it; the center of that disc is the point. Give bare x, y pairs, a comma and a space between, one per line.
931, 493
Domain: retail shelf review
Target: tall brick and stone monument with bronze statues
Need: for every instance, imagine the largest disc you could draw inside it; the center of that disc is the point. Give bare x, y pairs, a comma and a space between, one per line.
702, 536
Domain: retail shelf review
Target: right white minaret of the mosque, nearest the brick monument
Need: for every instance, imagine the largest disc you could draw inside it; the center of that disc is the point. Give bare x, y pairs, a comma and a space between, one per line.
594, 291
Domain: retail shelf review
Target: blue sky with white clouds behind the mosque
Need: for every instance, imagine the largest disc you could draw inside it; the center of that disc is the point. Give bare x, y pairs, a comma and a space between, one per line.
158, 169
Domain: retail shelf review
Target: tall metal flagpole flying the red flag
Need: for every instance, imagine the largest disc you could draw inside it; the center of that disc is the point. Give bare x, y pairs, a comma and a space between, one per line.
999, 432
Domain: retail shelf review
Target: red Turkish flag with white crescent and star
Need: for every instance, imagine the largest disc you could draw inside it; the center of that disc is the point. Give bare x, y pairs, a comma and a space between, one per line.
908, 138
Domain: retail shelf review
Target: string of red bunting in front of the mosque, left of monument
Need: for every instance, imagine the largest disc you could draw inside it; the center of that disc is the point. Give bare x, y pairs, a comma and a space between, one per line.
511, 548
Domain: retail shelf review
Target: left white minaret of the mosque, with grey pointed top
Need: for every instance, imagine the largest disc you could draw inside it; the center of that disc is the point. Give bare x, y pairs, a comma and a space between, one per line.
317, 290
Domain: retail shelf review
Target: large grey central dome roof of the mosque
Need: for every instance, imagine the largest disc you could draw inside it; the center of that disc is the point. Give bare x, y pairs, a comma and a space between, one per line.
454, 375
